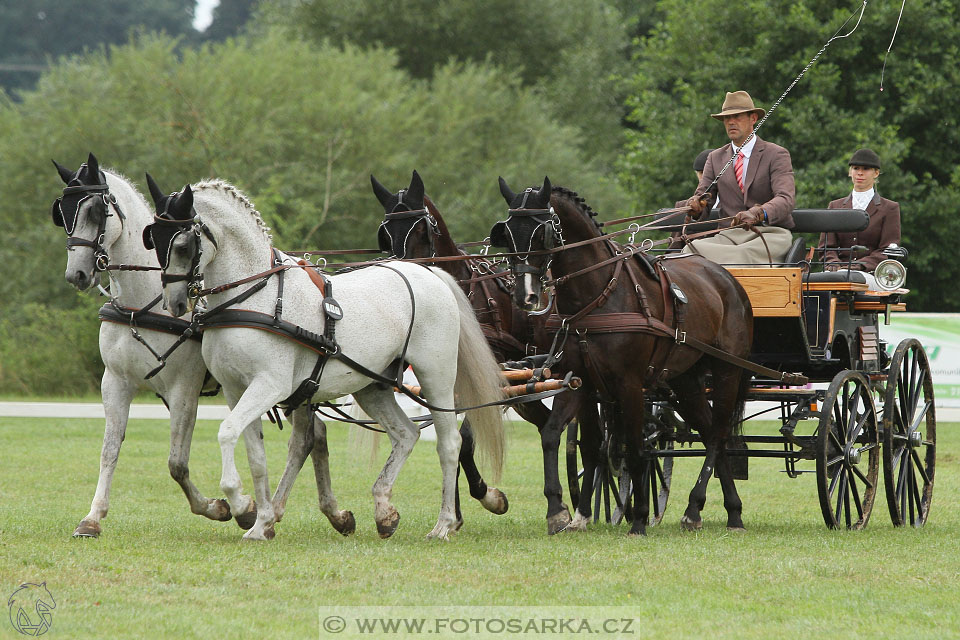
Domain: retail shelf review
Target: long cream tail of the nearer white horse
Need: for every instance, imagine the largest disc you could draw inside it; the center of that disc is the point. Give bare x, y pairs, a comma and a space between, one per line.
478, 381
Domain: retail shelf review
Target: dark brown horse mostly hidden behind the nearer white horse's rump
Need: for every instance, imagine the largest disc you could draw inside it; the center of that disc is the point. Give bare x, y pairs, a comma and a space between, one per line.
414, 228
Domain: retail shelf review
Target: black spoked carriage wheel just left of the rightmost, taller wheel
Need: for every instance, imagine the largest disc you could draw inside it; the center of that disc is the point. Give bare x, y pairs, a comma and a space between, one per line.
848, 452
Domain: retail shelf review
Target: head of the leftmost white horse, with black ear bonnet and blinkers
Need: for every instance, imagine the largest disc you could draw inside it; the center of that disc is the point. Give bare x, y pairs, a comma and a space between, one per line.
83, 210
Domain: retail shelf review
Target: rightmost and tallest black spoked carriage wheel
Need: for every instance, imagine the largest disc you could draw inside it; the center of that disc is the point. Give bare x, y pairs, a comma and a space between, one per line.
909, 435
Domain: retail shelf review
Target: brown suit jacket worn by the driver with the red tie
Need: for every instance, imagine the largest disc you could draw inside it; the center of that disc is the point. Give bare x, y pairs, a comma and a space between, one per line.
768, 183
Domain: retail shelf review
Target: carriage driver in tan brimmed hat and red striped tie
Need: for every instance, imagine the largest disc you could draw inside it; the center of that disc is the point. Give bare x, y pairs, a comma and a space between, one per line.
757, 191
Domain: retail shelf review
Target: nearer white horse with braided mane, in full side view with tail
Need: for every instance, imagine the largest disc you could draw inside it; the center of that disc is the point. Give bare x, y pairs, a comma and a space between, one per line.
390, 314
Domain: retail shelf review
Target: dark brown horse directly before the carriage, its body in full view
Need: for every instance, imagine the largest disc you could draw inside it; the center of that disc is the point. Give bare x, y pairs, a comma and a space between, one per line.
625, 326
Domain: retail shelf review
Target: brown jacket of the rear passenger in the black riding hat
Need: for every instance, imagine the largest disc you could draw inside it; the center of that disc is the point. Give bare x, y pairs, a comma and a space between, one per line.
884, 229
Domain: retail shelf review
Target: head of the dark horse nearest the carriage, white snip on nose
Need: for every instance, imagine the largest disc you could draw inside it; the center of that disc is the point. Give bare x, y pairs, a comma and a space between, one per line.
529, 233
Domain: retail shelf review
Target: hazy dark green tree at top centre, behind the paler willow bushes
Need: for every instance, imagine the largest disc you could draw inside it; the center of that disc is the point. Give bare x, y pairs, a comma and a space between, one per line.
573, 53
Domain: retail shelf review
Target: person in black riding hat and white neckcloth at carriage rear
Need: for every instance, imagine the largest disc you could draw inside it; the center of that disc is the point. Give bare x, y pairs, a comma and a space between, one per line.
884, 227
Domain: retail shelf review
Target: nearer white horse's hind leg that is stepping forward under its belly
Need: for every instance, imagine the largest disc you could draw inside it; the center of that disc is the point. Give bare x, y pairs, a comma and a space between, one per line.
379, 403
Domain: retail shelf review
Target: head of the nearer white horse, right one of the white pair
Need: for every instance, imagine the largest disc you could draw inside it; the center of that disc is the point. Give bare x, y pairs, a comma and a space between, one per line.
175, 235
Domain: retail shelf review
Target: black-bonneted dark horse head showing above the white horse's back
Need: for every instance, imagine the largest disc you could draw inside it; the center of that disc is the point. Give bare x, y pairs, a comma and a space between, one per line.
401, 233
